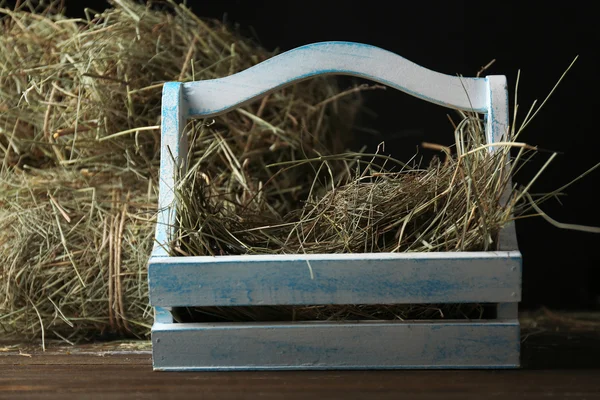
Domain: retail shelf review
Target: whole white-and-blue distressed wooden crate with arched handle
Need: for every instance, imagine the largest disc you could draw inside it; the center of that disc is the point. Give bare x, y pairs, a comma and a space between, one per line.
467, 277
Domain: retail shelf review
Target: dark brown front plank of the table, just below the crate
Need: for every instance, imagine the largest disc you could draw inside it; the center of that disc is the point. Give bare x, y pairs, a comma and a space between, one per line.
140, 382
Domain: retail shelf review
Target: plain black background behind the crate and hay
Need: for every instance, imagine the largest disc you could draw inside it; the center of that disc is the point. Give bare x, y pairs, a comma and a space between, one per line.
561, 269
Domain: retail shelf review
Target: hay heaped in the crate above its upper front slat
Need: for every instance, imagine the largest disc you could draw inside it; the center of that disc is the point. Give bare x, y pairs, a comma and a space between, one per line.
347, 203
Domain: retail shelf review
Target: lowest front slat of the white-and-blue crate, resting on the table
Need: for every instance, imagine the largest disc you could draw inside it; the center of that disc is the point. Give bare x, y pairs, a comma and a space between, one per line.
359, 345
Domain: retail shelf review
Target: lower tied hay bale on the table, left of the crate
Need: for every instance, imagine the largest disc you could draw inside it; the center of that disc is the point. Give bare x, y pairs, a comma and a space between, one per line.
76, 245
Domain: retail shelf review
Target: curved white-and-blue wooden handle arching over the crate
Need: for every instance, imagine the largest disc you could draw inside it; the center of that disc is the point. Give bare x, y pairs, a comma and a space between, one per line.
216, 96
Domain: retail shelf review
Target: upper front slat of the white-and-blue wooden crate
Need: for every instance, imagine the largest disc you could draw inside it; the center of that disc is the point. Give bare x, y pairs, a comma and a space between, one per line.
336, 279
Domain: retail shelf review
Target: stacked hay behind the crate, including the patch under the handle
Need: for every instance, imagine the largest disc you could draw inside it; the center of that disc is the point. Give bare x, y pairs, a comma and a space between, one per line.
79, 139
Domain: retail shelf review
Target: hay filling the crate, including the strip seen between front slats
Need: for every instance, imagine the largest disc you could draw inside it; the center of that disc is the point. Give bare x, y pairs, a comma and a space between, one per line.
337, 204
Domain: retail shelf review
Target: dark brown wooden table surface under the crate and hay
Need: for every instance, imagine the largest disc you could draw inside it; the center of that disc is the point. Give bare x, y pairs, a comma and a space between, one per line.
560, 357
